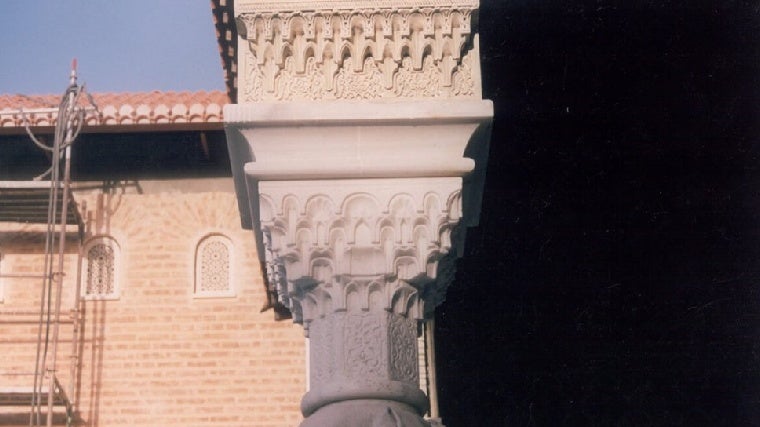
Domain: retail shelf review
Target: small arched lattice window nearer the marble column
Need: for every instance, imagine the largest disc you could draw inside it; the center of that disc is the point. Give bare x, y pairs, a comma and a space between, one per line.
213, 267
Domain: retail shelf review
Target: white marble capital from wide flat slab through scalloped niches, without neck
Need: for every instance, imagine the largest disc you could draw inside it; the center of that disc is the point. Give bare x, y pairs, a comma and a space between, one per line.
342, 190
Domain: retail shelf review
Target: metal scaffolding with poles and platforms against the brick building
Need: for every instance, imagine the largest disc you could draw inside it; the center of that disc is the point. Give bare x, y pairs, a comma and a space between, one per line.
48, 200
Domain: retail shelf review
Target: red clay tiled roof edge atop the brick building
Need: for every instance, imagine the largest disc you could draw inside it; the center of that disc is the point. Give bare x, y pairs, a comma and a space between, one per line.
131, 108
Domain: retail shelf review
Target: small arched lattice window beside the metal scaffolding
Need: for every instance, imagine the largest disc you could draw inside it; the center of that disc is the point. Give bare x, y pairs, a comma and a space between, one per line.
100, 259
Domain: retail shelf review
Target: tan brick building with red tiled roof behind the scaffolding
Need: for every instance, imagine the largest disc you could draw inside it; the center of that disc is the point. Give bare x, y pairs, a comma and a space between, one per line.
169, 326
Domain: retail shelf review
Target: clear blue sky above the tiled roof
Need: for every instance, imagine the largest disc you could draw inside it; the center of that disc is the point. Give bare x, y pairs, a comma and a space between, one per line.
120, 45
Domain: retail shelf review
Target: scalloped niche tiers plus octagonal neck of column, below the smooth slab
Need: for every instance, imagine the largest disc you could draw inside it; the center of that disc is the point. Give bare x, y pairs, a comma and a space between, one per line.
358, 262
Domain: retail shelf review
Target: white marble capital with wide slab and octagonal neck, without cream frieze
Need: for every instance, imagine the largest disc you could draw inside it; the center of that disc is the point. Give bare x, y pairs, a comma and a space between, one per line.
359, 211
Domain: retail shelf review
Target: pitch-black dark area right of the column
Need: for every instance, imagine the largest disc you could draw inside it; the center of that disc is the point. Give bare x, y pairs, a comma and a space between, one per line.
615, 277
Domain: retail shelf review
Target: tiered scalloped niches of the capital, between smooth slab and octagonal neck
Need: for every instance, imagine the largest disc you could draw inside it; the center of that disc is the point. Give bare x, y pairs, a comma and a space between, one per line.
357, 251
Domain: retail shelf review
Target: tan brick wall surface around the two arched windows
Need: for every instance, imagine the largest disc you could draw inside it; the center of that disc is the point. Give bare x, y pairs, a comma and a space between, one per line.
158, 356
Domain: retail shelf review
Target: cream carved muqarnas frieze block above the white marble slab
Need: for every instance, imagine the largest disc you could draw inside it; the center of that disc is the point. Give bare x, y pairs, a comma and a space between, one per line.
383, 53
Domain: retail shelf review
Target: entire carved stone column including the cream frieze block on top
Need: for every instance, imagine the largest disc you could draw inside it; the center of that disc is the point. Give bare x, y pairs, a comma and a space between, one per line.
358, 153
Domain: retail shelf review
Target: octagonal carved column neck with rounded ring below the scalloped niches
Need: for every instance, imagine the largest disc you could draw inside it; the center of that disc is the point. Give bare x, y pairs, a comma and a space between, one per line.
363, 355
